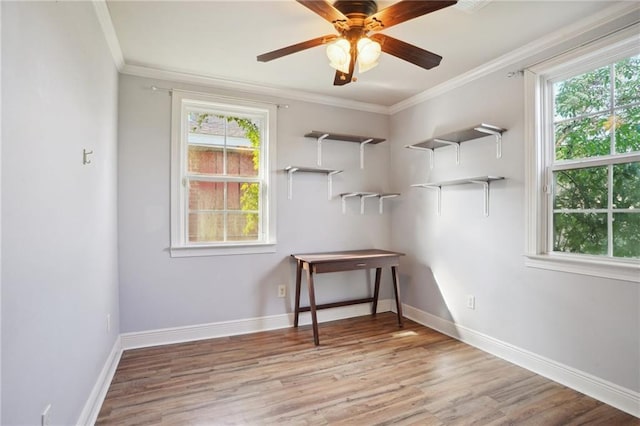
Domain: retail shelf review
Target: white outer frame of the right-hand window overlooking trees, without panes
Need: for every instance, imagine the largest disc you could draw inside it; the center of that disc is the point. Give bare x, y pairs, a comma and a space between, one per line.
539, 154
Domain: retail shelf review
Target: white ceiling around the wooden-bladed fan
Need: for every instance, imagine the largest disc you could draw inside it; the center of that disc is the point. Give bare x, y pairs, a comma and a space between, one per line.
221, 39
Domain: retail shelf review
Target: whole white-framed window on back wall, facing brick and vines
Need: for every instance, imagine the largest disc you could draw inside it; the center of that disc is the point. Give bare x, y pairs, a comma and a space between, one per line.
221, 176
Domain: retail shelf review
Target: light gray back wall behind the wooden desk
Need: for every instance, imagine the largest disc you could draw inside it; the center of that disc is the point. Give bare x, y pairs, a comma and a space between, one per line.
157, 291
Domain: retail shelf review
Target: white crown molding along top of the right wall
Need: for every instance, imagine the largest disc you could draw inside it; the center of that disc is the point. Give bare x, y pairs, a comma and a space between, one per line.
525, 52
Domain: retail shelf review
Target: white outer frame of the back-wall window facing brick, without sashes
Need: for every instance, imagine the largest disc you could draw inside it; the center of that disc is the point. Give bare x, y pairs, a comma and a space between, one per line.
180, 246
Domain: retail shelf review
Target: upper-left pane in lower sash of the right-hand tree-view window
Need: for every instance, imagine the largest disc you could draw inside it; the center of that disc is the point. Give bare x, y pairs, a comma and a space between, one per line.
580, 188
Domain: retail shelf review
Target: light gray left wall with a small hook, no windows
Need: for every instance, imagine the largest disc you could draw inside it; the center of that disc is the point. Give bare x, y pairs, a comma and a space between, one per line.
59, 264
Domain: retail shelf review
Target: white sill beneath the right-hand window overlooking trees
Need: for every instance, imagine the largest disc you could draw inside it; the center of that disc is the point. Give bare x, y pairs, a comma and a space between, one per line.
614, 269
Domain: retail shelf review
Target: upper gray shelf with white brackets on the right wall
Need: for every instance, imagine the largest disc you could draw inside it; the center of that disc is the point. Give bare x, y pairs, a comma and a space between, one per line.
456, 138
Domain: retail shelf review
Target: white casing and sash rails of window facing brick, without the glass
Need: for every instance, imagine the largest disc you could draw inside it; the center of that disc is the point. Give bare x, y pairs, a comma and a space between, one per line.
184, 102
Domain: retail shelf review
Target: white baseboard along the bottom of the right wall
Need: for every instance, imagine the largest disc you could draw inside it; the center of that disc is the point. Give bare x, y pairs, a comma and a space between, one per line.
617, 396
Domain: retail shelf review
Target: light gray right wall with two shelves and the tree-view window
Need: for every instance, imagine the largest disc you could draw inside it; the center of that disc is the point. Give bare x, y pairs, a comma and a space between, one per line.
588, 323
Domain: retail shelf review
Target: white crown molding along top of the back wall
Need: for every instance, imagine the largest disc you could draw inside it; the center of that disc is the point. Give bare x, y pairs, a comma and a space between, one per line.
251, 88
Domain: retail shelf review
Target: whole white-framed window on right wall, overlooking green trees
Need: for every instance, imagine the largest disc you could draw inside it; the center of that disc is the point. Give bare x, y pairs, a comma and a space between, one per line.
583, 182
